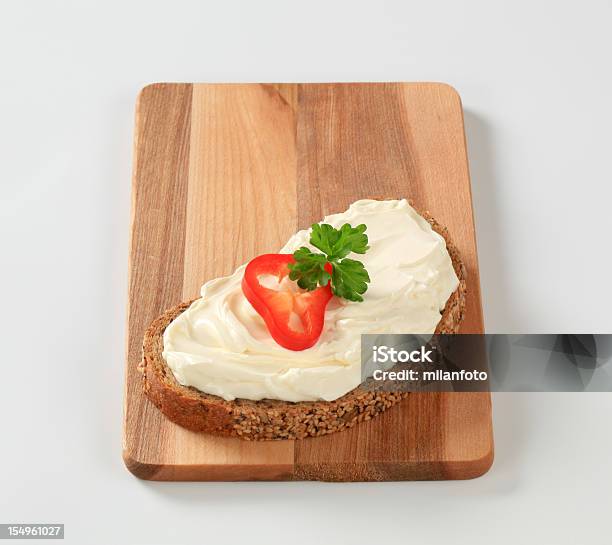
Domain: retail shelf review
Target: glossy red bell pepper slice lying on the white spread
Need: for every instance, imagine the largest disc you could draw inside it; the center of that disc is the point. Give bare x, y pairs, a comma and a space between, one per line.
294, 316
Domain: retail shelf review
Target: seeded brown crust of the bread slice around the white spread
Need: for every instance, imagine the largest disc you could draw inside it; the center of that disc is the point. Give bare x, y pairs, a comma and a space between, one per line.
271, 419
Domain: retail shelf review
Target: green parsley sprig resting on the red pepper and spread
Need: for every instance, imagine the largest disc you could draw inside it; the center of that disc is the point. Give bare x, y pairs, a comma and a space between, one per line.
349, 278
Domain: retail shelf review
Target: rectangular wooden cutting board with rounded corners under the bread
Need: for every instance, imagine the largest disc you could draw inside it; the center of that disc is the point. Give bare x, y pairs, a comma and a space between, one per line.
223, 173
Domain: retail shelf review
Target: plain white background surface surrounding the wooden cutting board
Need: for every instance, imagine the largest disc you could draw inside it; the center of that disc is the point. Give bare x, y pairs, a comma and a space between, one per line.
536, 85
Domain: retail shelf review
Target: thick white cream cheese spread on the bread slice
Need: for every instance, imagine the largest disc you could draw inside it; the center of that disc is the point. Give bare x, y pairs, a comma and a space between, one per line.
221, 346
